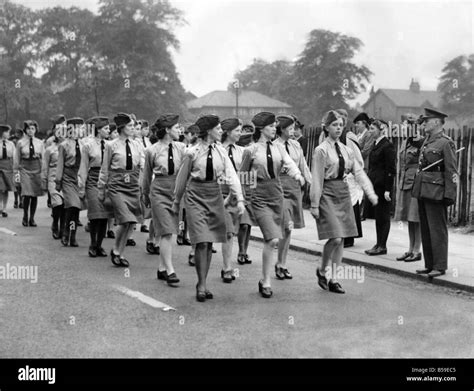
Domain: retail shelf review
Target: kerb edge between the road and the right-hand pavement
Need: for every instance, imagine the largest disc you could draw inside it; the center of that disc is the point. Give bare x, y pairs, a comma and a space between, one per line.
386, 269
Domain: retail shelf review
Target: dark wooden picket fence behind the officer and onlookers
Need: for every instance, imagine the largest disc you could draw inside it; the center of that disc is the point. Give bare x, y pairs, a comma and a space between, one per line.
462, 212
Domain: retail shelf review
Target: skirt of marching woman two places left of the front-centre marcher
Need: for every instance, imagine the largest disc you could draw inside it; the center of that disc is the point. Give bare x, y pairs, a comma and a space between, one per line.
124, 192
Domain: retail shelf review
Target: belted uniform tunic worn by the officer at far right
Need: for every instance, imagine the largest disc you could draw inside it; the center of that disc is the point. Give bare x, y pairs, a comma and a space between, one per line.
438, 183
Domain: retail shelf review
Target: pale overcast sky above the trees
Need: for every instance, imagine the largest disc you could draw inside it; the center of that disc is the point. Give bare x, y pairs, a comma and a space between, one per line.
402, 39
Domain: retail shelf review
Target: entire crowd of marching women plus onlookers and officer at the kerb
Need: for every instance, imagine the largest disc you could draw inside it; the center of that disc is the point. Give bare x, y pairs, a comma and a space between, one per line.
216, 179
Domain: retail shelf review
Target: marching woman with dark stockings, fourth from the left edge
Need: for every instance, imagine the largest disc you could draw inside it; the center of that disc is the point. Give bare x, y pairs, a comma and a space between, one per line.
69, 161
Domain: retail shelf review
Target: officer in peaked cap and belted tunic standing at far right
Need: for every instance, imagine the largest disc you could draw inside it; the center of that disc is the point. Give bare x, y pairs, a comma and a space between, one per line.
435, 189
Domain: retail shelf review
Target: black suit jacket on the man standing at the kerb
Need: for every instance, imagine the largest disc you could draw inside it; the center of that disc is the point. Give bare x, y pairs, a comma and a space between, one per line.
382, 165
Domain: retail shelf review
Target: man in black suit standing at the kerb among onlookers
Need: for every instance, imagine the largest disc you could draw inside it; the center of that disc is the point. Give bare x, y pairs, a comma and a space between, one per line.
382, 171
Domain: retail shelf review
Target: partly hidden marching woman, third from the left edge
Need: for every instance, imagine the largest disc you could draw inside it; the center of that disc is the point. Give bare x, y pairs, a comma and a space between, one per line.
48, 176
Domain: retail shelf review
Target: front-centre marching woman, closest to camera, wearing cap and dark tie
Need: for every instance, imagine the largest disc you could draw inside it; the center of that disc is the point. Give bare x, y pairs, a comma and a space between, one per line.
205, 164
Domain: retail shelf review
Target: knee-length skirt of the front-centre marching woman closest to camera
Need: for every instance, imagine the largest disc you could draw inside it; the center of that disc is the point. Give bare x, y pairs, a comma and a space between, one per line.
205, 212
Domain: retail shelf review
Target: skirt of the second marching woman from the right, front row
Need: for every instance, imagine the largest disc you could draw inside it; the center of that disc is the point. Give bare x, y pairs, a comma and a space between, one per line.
267, 208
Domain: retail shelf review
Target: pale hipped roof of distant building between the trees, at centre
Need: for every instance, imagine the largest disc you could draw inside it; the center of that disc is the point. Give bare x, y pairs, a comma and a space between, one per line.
249, 99
